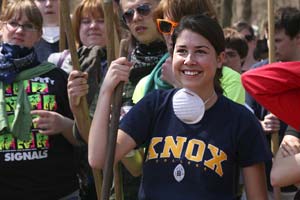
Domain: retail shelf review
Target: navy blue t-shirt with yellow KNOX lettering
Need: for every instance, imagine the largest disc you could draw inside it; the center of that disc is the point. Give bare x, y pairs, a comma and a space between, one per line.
196, 161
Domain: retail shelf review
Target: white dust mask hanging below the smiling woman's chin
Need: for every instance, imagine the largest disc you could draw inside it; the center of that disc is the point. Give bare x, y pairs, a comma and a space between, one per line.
188, 106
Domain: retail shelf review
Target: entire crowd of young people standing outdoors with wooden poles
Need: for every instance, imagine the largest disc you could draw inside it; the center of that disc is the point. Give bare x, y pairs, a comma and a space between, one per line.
199, 104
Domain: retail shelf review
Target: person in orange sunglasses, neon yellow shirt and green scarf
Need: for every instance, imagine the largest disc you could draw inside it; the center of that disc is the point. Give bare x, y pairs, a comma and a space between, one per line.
168, 14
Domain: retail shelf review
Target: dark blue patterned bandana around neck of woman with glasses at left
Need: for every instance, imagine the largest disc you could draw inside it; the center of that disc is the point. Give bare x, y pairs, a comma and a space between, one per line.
14, 59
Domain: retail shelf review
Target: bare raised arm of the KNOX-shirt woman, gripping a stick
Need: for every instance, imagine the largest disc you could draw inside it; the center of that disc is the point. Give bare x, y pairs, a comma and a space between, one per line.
117, 72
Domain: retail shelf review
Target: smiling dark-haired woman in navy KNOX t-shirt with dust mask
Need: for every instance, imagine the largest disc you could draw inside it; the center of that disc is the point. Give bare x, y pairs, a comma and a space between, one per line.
186, 157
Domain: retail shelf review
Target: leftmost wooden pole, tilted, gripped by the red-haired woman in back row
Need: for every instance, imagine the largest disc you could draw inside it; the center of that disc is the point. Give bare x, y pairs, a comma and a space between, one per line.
83, 119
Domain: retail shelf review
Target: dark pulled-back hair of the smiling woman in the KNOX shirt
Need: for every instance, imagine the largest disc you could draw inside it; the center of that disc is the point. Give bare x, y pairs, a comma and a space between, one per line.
211, 30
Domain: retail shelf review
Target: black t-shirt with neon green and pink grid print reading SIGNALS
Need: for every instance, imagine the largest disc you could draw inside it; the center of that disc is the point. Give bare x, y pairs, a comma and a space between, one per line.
43, 167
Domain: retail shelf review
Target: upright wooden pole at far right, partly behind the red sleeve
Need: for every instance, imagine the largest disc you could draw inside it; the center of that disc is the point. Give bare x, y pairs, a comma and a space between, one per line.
271, 32
